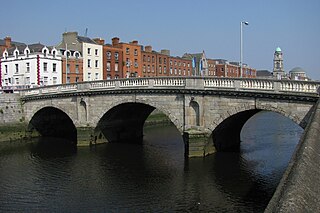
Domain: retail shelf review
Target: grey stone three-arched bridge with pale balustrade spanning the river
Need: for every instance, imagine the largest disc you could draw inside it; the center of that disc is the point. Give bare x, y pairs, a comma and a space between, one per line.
208, 112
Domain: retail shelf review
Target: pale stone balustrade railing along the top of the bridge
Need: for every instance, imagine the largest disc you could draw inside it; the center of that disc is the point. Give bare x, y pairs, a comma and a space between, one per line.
232, 84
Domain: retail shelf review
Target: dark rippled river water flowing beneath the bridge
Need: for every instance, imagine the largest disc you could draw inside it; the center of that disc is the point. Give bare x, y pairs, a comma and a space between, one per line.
153, 177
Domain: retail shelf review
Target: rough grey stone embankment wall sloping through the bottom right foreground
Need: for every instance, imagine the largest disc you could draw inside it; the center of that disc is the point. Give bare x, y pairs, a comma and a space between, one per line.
299, 188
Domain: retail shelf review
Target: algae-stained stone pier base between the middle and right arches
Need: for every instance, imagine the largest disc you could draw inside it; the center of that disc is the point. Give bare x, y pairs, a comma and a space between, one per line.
197, 143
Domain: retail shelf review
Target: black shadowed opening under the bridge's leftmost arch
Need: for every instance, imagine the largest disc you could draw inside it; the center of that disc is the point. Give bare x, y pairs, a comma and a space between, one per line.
54, 123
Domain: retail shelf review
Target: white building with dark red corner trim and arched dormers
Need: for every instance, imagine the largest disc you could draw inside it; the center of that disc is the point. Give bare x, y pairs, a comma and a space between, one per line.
26, 66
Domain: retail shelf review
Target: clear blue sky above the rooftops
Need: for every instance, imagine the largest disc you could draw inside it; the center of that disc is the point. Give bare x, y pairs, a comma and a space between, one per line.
182, 26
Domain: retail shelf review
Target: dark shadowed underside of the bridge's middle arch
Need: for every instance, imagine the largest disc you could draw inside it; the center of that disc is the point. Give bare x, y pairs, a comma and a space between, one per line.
123, 123
